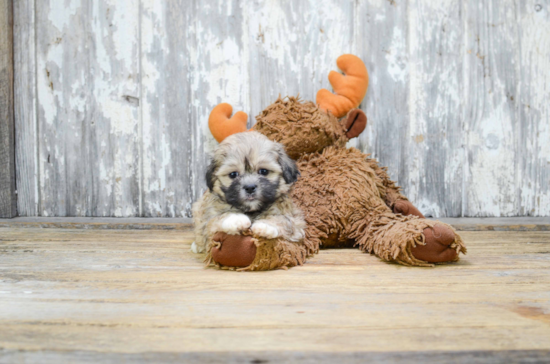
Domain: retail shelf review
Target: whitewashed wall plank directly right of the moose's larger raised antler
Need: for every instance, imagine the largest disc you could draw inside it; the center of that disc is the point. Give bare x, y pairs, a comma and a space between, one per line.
382, 43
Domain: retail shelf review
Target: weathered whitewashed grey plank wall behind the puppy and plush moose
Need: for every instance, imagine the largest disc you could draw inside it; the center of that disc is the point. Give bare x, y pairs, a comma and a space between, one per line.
112, 96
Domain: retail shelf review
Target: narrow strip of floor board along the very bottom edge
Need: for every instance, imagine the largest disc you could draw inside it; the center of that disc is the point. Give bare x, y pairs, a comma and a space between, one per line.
472, 357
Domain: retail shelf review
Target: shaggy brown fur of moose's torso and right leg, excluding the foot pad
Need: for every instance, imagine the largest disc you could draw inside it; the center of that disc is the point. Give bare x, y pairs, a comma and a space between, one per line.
344, 208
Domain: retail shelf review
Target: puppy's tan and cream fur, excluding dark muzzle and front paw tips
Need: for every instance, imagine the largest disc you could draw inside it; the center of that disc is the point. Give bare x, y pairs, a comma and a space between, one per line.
211, 210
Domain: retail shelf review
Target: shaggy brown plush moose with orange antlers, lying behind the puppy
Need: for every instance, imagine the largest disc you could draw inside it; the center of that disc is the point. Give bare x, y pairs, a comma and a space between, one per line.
347, 198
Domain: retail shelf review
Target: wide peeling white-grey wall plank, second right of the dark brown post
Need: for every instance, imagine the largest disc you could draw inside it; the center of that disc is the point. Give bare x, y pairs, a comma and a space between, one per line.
88, 95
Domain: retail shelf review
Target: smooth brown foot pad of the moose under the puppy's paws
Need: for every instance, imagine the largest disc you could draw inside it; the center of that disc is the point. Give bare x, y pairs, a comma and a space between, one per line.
234, 251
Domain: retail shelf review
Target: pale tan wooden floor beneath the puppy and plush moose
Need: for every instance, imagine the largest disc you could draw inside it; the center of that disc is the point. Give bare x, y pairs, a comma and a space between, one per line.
115, 295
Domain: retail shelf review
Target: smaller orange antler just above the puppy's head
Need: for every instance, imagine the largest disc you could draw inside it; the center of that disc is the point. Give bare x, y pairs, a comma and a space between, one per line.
221, 123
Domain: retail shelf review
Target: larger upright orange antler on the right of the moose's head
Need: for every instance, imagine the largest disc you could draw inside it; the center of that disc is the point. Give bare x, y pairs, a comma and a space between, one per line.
350, 88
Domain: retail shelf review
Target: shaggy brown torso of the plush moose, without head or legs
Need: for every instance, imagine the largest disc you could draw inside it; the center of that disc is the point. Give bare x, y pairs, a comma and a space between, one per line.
331, 197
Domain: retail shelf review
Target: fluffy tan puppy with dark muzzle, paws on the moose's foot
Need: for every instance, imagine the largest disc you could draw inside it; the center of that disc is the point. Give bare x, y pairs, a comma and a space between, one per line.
248, 181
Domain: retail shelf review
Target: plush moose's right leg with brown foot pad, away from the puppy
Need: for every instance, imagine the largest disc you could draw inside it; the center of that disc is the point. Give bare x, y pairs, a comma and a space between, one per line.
408, 240
